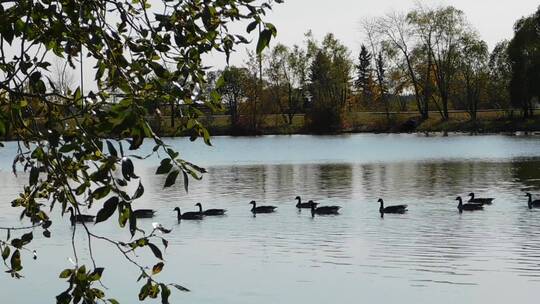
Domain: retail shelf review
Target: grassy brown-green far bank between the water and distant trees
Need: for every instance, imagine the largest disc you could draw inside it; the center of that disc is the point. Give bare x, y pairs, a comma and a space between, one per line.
373, 122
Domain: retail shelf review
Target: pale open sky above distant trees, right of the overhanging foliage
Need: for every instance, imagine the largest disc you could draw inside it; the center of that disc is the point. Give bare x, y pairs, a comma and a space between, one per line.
494, 19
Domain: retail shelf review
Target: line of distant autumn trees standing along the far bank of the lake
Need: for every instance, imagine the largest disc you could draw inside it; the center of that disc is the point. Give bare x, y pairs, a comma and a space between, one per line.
428, 59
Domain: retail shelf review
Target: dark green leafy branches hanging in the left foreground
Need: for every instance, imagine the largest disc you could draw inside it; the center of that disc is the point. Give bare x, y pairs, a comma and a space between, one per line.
77, 148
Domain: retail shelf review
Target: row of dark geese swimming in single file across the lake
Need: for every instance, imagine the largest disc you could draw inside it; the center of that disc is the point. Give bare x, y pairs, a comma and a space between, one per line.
473, 204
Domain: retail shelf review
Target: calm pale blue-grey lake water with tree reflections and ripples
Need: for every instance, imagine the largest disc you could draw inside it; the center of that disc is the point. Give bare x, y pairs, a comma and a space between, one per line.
432, 254
